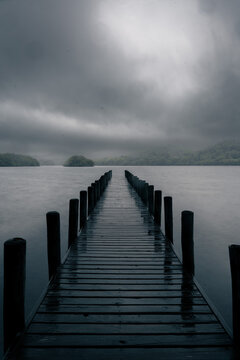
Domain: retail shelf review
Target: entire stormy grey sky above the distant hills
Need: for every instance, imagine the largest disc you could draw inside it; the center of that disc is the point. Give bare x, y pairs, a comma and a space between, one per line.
110, 77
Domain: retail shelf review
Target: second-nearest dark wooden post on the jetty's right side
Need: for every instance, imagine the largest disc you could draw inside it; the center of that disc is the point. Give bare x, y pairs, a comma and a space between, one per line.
187, 241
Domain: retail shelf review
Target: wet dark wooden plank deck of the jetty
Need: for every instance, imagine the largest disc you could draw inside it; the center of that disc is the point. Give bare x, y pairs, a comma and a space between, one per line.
122, 294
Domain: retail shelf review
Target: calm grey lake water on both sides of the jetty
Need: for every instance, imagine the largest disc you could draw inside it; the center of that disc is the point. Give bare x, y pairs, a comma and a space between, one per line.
213, 193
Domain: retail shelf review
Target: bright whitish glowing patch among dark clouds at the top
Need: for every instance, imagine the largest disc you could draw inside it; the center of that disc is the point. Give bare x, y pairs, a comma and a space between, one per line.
164, 39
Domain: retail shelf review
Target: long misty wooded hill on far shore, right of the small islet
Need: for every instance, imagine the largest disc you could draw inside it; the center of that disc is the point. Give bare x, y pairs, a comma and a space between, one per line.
226, 153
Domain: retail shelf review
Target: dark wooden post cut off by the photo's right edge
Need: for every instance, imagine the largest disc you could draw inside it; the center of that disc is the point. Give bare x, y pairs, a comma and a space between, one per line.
234, 253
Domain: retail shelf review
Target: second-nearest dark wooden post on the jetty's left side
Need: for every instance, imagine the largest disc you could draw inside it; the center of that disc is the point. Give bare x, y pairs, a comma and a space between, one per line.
53, 242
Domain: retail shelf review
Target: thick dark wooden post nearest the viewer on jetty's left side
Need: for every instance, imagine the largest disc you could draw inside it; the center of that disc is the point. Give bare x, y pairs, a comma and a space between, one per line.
14, 289
